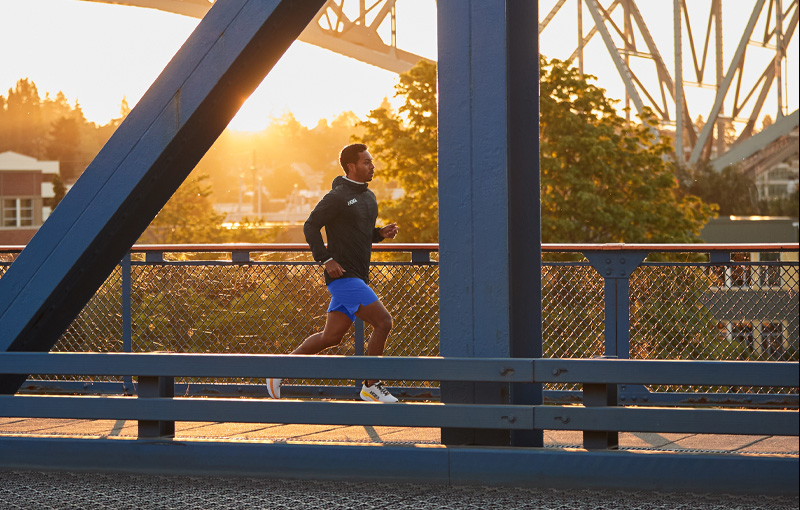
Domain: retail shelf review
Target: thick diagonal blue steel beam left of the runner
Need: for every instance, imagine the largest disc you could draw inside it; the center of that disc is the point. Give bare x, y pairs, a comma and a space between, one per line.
141, 166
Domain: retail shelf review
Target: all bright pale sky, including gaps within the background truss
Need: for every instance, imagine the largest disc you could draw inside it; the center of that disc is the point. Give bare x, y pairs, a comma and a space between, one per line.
99, 53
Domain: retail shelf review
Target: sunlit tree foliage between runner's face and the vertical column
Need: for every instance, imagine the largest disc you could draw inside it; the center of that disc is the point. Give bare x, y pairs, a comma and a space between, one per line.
404, 144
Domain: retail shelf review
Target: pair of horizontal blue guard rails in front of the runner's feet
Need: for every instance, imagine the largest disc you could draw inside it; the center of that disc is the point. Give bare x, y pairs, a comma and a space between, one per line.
519, 417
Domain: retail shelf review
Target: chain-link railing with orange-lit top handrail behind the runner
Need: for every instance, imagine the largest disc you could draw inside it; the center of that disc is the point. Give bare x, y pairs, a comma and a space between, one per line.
687, 302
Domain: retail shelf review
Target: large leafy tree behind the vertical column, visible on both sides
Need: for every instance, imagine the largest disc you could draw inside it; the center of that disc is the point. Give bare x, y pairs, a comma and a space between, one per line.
603, 180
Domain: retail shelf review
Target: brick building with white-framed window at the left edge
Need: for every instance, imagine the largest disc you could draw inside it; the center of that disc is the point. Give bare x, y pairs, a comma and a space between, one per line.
25, 184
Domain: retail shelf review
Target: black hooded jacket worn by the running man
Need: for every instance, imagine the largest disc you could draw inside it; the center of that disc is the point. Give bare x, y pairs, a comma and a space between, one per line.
348, 213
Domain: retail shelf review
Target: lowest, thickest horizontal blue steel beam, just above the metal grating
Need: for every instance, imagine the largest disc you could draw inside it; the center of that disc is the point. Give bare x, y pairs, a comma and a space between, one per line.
518, 467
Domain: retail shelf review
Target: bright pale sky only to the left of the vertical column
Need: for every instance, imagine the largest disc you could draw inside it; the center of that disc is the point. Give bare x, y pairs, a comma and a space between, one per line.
98, 53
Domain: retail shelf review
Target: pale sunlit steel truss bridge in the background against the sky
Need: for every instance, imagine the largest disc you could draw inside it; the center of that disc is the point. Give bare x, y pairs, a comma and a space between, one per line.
353, 28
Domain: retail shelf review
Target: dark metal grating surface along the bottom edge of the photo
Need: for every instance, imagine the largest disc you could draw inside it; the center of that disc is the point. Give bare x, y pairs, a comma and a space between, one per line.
68, 491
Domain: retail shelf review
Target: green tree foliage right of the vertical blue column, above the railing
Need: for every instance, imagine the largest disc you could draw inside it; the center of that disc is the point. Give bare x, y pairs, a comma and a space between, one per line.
604, 180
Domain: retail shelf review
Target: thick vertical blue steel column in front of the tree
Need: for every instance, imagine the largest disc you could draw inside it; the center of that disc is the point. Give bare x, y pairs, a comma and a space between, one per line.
490, 298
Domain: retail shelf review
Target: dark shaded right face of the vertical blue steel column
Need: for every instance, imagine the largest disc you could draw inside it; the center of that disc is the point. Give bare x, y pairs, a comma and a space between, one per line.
524, 210
